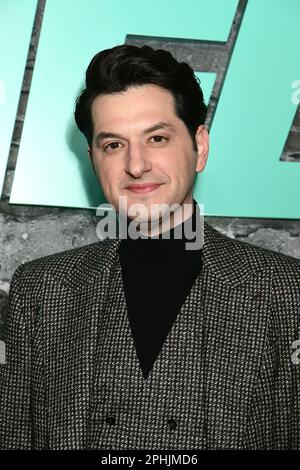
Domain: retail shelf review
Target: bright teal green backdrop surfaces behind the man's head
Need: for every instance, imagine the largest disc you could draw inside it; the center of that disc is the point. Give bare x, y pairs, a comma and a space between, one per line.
244, 176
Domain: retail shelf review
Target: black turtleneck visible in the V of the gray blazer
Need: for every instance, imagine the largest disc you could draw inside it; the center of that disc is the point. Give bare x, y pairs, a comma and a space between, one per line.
158, 274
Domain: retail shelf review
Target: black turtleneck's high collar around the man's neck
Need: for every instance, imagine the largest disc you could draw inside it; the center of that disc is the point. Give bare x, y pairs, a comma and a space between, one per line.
157, 257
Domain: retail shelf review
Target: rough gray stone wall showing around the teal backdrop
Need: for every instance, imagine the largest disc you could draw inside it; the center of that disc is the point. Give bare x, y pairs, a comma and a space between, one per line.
30, 232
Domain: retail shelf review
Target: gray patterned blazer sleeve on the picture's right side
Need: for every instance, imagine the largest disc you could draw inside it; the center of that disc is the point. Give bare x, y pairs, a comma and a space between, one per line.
274, 417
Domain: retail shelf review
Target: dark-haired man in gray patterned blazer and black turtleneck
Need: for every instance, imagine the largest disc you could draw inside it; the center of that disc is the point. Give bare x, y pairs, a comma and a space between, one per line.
139, 343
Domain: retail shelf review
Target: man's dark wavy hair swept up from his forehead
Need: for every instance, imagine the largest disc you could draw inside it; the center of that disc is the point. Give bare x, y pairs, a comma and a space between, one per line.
116, 69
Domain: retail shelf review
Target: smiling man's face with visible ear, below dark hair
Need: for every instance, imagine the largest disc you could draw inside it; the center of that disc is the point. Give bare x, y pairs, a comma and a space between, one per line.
138, 139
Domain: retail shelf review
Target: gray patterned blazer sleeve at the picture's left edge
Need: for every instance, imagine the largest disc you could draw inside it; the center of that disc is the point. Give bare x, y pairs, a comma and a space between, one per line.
15, 372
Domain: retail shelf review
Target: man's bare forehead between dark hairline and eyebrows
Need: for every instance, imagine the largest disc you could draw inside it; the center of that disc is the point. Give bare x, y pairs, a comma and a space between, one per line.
146, 102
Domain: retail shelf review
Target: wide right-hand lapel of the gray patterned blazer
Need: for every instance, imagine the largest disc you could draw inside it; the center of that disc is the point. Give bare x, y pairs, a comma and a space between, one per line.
235, 296
